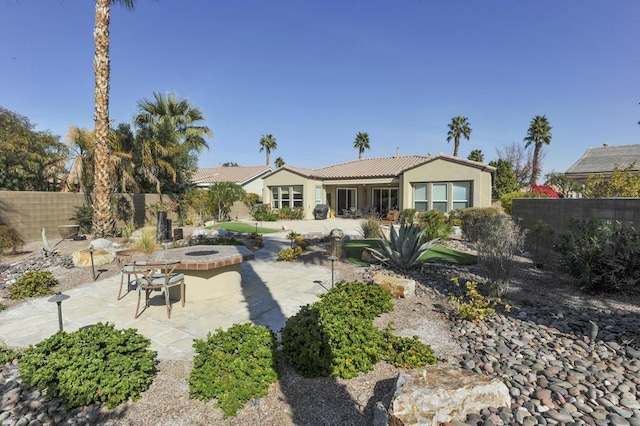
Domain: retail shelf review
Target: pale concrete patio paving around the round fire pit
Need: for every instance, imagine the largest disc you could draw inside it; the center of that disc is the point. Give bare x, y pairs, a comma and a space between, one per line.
271, 292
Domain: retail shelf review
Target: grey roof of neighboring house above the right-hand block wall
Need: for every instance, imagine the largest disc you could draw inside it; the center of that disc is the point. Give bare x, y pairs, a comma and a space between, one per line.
604, 159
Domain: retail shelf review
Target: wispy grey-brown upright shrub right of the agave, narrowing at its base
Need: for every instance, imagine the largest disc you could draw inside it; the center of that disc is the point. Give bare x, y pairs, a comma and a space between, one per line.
500, 240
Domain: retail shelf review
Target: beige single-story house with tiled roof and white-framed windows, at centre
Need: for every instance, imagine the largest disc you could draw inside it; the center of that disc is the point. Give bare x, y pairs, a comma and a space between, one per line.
377, 185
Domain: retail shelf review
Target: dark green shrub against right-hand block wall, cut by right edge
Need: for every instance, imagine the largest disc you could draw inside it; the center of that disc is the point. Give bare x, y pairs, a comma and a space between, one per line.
601, 256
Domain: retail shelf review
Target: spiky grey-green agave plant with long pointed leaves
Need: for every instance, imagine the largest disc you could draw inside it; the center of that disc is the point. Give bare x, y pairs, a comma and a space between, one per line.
403, 249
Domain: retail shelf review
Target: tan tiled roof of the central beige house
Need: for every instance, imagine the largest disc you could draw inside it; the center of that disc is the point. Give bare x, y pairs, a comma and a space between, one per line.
370, 168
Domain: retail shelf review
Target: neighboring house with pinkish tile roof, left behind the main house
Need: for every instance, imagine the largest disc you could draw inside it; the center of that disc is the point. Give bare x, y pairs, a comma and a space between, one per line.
250, 178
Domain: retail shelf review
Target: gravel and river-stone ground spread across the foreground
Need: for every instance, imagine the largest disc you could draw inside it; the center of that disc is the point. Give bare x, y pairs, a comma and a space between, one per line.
542, 351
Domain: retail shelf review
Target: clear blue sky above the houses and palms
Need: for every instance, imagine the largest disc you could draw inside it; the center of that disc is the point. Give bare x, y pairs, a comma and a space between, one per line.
315, 72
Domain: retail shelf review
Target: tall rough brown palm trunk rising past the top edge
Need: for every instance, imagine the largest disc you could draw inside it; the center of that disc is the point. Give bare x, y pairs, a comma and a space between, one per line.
103, 224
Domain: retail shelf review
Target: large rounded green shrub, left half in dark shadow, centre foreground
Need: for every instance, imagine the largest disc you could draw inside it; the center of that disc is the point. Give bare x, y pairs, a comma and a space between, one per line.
336, 336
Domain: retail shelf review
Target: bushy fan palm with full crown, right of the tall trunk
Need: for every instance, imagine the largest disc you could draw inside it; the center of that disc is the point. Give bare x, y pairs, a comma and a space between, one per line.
166, 129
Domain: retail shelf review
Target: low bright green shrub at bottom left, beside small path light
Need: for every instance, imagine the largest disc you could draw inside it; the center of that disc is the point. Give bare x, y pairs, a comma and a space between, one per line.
94, 364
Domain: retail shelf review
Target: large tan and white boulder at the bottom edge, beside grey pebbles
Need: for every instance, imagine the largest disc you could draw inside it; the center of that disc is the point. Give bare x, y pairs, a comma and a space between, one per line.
443, 393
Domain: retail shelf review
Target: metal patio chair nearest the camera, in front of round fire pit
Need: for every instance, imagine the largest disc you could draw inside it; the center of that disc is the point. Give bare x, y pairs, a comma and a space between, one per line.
154, 276
